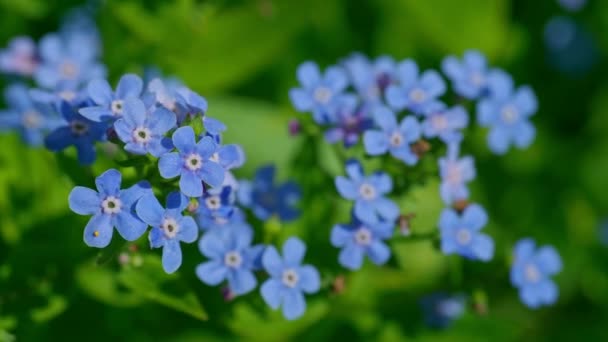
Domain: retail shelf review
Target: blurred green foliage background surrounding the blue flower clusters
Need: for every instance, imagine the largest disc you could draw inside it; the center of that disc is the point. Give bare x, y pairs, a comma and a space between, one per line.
242, 55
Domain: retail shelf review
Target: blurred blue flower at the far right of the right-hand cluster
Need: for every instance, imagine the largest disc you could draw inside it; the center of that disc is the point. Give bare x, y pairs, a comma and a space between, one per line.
507, 113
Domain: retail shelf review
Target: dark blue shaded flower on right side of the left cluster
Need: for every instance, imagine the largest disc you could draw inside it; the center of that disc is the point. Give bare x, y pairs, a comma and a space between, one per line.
267, 199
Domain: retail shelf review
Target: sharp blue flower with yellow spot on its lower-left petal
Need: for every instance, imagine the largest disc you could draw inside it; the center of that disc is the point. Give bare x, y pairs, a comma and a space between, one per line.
111, 207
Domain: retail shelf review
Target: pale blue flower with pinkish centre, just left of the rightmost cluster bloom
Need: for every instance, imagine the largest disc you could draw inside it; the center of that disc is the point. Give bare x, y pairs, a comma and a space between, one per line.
445, 123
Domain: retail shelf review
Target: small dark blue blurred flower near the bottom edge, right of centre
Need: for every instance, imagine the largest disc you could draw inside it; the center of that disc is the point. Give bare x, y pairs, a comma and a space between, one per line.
441, 309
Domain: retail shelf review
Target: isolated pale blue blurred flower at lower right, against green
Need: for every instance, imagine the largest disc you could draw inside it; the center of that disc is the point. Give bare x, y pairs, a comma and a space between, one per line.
531, 272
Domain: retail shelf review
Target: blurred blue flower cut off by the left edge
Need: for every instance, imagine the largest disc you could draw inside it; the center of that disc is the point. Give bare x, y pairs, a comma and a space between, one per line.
30, 118
